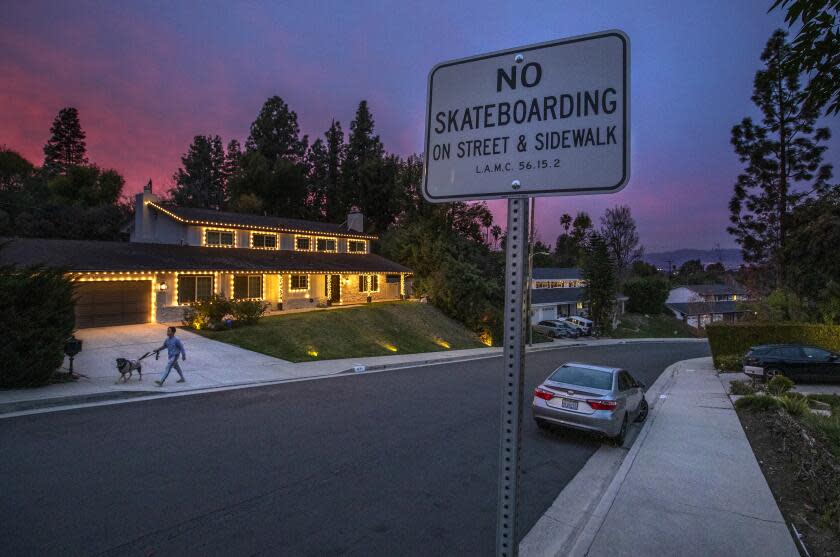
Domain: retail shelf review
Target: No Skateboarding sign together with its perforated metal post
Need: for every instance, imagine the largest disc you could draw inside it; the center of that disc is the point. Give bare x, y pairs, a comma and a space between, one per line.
545, 119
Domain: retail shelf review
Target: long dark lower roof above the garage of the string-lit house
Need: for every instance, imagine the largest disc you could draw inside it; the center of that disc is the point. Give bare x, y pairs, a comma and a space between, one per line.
91, 256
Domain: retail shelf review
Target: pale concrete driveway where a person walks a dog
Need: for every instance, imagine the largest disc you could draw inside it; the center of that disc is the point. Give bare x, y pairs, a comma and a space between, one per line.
209, 364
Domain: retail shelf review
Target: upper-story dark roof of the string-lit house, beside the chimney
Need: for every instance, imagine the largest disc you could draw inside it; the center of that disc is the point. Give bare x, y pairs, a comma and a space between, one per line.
210, 217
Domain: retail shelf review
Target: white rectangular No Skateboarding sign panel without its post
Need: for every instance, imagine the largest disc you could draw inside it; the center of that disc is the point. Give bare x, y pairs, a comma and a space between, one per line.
546, 119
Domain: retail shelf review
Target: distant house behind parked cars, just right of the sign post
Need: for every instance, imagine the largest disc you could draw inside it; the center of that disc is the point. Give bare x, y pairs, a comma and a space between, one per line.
558, 292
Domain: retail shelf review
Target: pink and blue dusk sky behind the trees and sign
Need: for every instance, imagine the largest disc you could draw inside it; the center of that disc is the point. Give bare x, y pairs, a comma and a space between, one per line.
147, 78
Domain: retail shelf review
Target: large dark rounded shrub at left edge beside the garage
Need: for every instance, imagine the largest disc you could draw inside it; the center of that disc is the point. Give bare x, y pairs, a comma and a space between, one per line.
34, 327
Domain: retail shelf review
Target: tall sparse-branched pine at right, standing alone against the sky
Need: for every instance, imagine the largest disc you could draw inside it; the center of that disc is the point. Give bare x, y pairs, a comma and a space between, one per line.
782, 157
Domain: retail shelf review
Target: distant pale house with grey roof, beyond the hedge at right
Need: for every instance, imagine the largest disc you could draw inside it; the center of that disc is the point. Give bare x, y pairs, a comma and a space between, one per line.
701, 304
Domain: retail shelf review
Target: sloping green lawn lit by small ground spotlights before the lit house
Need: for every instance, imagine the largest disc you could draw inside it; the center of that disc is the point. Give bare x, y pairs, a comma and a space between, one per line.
379, 329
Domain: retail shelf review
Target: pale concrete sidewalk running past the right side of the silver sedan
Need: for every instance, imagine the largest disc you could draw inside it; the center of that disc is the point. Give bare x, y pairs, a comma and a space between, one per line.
690, 485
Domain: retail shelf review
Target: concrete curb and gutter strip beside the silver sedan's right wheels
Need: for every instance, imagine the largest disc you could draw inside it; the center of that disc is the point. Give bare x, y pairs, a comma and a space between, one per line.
552, 535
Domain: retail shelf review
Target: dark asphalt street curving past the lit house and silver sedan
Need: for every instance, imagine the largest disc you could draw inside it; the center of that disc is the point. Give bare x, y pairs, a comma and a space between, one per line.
396, 463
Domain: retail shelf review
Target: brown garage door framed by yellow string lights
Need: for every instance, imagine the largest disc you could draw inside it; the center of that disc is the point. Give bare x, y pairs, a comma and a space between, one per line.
100, 304
